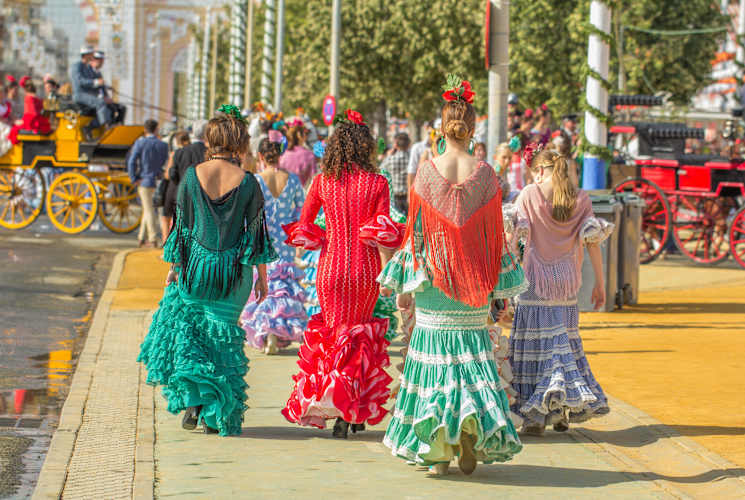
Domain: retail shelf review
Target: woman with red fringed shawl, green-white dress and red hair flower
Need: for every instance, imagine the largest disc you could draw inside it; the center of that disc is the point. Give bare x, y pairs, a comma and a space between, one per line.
451, 402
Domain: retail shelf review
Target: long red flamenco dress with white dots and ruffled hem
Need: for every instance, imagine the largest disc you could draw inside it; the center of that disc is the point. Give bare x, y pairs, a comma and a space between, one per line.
343, 359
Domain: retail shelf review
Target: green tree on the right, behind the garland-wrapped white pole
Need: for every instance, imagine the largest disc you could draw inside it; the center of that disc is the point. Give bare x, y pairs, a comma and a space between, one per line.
548, 49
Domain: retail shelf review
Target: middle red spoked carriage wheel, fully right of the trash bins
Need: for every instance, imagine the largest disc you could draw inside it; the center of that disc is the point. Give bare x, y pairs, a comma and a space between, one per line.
700, 228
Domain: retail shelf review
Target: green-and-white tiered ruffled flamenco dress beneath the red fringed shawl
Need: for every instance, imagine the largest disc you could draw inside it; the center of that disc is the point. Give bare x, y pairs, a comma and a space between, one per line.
450, 382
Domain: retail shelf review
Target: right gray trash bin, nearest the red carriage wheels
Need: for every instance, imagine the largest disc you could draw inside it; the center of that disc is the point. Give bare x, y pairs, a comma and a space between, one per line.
629, 239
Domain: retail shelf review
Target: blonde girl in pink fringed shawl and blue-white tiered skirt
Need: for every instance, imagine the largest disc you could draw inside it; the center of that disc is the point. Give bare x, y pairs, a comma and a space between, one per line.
552, 378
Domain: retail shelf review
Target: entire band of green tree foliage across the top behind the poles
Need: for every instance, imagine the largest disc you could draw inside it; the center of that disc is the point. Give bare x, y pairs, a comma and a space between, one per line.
395, 53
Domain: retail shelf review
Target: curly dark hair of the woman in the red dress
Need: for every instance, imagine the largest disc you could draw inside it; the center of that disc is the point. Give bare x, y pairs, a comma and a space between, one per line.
349, 145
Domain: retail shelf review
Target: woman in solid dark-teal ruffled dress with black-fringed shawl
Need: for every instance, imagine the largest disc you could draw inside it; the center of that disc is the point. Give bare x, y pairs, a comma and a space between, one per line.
195, 347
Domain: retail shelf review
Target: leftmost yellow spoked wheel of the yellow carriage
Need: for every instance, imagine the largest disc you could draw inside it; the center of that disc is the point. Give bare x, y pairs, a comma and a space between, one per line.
21, 197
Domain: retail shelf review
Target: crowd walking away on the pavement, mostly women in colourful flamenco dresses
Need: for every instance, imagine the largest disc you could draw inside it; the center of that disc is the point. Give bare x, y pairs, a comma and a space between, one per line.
457, 245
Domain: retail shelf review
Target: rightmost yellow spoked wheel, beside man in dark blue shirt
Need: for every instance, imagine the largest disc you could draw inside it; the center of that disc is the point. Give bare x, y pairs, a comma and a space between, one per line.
118, 206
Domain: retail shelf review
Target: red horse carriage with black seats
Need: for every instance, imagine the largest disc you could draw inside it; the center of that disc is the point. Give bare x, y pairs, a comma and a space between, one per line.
695, 201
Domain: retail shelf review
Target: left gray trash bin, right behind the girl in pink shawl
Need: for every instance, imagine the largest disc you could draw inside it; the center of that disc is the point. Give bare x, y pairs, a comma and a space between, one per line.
605, 207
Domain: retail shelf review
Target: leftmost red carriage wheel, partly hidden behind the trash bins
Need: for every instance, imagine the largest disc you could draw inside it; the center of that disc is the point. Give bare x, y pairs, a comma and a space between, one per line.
656, 217
